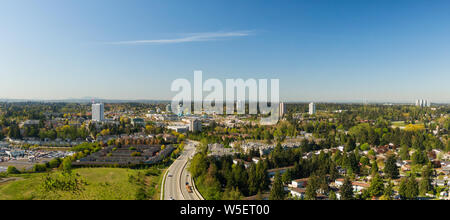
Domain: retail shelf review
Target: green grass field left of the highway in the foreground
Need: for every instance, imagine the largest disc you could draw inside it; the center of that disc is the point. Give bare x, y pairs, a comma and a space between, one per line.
102, 184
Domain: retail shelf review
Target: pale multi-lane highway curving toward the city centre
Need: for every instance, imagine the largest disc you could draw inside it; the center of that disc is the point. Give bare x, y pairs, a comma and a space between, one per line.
177, 176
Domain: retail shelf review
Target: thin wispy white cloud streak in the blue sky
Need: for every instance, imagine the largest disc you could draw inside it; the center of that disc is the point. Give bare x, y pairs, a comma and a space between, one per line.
193, 37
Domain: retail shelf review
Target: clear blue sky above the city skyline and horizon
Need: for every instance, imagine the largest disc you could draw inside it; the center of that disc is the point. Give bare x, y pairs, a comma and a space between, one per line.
346, 50
